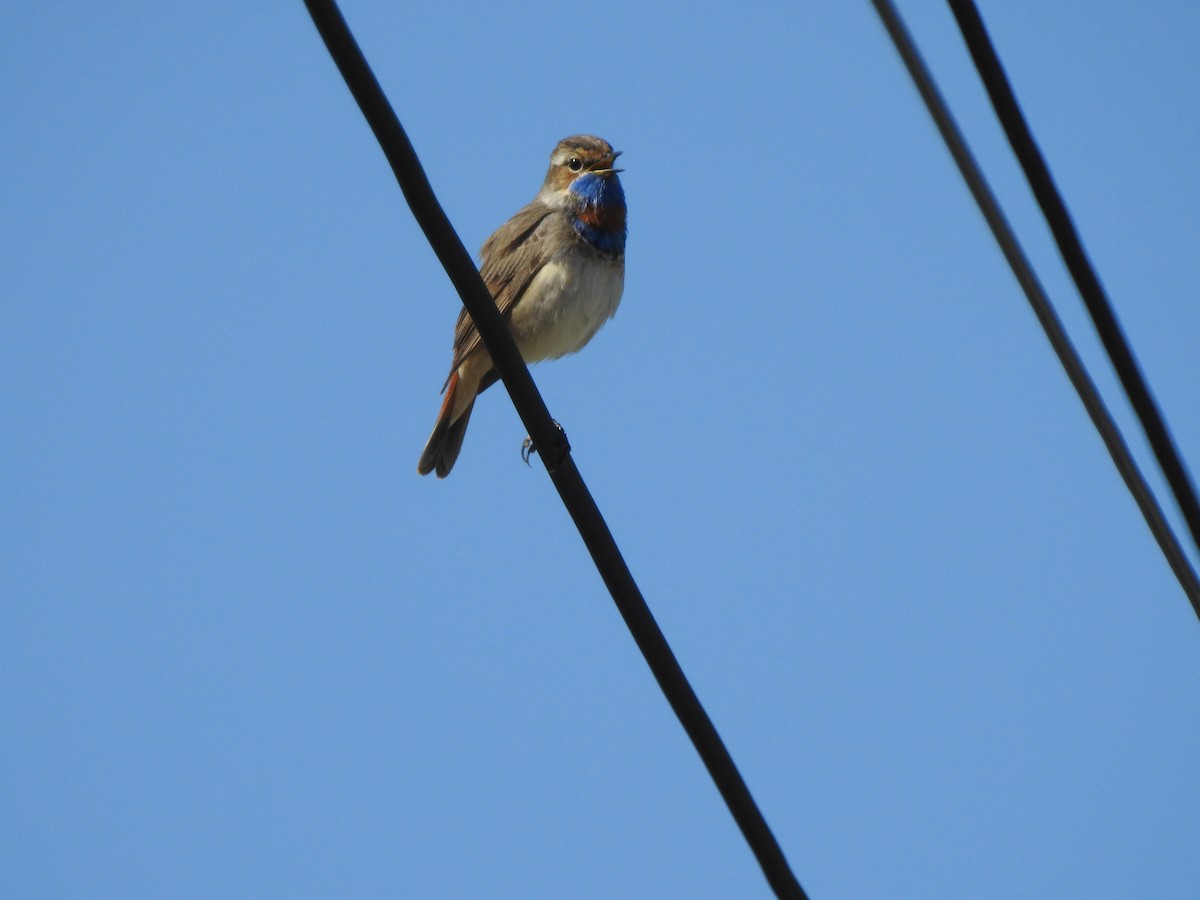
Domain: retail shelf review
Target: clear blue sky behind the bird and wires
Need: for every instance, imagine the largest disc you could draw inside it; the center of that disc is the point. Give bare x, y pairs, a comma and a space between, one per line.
245, 651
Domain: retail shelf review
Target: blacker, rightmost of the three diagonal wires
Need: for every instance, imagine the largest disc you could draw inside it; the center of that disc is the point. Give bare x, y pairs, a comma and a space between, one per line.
1037, 173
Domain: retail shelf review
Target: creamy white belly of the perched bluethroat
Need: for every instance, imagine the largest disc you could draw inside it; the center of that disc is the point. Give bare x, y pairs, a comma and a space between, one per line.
566, 305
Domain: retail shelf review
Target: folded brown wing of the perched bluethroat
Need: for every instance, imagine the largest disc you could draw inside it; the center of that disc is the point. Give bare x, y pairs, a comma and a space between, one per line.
512, 257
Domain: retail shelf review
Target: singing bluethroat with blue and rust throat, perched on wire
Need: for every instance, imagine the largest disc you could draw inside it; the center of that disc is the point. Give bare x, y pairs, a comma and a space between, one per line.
556, 272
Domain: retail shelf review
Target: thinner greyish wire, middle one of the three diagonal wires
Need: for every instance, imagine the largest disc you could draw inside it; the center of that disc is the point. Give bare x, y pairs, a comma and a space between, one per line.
1041, 303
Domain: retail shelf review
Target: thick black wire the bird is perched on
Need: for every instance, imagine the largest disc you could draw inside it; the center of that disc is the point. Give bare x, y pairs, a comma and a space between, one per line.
584, 511
